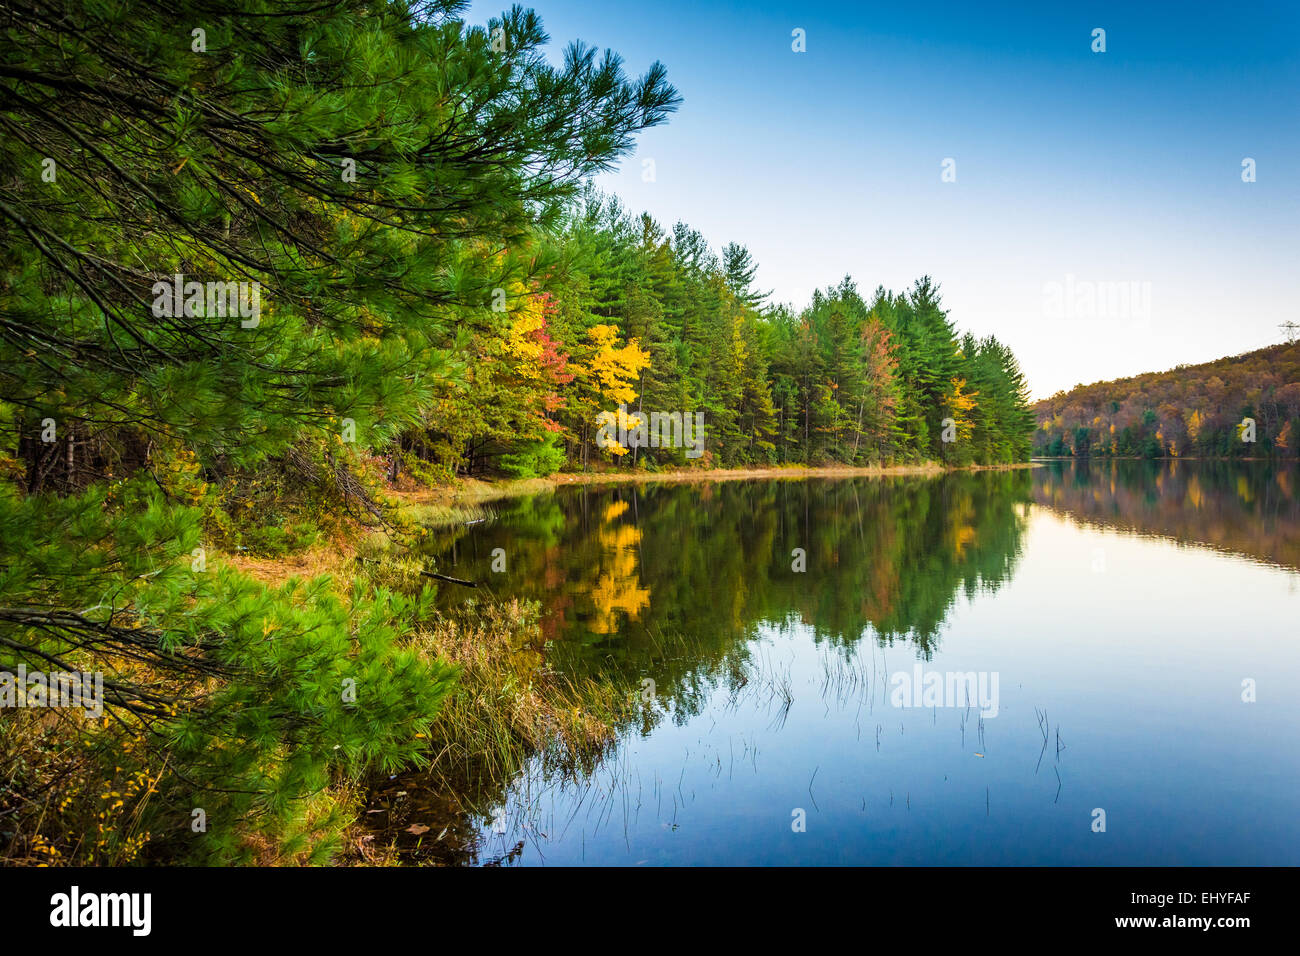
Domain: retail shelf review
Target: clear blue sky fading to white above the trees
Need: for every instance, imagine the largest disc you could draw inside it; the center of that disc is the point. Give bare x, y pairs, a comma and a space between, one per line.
1072, 167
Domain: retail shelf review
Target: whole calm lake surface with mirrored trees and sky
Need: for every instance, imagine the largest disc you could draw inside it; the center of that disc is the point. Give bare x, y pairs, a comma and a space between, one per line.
1120, 608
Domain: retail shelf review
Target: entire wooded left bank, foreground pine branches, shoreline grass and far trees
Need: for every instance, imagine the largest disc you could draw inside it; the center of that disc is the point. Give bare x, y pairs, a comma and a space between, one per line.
387, 265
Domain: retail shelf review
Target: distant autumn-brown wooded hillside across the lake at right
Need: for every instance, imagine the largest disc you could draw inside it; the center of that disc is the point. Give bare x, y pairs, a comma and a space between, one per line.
1191, 410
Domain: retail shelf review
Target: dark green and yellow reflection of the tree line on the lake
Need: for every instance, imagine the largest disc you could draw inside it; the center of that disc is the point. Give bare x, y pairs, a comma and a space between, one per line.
621, 569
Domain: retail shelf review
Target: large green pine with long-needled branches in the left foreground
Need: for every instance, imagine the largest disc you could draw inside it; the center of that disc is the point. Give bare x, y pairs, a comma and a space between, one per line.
371, 180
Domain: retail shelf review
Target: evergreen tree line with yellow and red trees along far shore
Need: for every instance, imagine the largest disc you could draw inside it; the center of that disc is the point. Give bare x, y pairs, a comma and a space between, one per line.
656, 321
